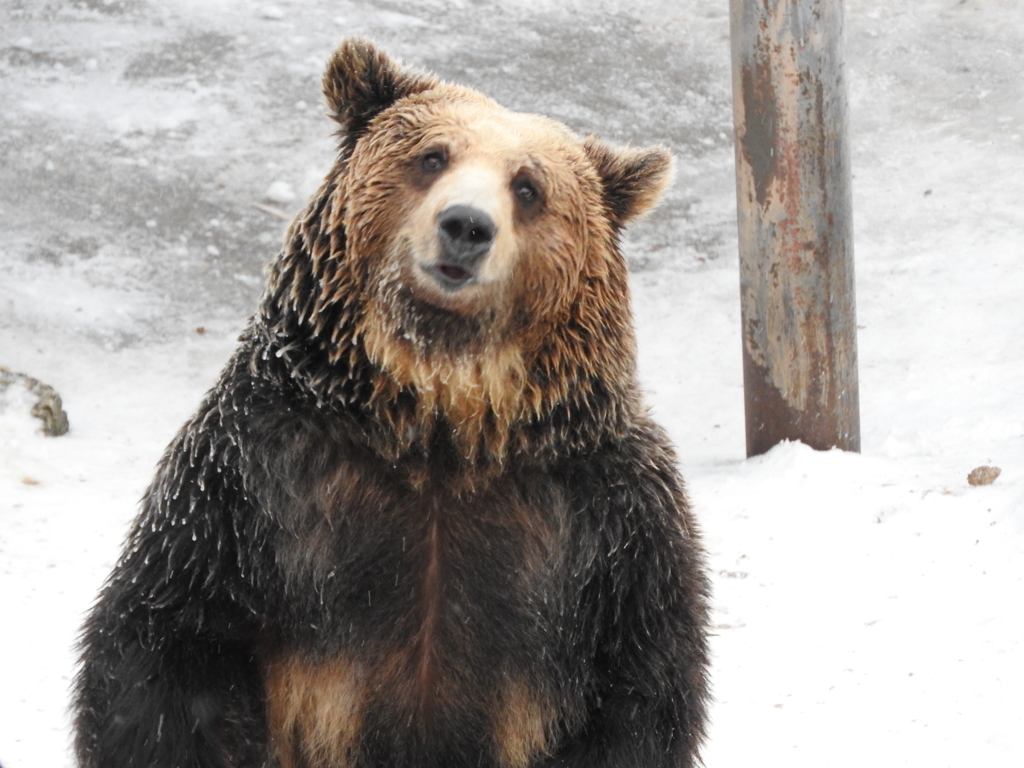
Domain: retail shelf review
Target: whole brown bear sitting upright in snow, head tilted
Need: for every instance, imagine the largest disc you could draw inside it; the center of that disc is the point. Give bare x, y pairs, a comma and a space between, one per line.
423, 521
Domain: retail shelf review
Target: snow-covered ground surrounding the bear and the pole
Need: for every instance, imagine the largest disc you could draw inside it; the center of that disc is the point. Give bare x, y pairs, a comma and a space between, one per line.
865, 605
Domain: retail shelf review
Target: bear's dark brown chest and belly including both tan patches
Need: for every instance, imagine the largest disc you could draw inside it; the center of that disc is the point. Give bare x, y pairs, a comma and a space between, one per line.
418, 607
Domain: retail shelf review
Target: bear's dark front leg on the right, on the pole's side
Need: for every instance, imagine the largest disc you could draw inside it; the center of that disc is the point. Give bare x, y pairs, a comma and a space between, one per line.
647, 603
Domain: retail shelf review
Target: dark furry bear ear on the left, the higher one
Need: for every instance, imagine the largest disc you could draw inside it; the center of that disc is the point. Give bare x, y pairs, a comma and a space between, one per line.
362, 81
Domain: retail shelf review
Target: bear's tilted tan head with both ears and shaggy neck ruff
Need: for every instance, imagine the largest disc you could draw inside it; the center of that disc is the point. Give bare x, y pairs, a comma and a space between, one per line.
462, 265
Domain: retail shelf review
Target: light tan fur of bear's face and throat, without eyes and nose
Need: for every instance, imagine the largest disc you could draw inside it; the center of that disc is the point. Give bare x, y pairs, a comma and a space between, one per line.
534, 267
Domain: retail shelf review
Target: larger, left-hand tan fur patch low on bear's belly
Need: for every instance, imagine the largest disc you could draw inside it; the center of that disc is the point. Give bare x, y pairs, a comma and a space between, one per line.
315, 711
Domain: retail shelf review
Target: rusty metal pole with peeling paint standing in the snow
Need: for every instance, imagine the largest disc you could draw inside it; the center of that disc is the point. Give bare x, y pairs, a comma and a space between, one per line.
795, 219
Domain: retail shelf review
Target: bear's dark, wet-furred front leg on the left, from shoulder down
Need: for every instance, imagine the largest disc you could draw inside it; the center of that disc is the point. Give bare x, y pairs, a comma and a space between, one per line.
168, 677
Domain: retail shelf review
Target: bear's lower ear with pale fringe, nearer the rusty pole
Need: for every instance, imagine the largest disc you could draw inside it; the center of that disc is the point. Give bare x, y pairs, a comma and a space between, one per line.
634, 181
